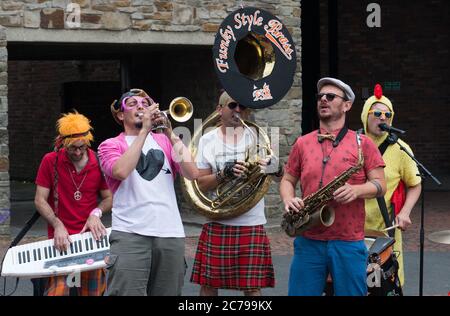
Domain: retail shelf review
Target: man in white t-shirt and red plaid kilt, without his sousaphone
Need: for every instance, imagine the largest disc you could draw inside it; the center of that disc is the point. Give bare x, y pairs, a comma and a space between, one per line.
232, 253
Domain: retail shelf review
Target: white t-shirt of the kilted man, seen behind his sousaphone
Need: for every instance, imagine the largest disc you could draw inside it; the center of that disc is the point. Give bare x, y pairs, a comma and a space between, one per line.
212, 153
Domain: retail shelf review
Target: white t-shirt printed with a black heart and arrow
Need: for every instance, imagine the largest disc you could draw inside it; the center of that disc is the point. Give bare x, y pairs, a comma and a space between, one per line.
145, 203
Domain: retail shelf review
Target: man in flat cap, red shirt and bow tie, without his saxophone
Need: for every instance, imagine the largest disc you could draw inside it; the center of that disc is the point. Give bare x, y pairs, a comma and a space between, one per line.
315, 160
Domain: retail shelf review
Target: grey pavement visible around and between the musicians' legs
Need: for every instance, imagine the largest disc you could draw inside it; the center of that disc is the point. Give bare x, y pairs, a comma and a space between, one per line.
436, 266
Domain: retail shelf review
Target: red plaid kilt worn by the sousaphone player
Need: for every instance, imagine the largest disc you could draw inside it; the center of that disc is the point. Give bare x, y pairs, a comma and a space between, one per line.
233, 257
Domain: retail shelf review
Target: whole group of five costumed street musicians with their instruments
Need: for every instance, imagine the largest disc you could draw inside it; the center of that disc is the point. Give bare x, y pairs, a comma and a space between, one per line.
356, 186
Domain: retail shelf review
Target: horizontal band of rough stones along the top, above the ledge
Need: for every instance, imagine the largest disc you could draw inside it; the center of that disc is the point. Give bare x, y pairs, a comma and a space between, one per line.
142, 15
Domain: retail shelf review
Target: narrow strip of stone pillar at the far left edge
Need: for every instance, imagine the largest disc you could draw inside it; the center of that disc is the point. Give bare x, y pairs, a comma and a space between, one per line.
4, 148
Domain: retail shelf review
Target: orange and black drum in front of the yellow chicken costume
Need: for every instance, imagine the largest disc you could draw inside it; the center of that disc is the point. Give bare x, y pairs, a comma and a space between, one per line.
382, 268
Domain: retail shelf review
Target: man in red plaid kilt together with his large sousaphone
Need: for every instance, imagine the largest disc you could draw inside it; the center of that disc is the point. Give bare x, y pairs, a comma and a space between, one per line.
255, 60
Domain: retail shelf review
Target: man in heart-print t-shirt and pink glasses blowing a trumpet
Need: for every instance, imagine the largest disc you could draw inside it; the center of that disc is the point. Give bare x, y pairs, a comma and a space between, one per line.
147, 238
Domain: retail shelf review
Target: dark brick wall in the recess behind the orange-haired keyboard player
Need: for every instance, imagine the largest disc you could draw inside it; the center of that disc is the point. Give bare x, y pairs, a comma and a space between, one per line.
35, 103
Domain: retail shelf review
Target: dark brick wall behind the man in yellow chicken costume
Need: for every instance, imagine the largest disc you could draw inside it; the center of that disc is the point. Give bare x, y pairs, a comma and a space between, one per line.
408, 55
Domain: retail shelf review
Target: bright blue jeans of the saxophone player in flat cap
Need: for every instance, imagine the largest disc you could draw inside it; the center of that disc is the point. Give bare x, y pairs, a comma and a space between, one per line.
314, 259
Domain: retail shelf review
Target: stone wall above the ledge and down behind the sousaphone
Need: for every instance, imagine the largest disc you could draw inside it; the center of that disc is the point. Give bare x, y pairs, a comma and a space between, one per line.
137, 21
